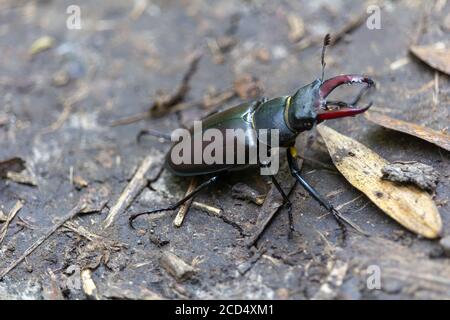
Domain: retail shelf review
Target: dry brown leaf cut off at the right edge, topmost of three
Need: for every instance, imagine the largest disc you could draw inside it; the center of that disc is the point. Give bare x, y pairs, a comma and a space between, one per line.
438, 57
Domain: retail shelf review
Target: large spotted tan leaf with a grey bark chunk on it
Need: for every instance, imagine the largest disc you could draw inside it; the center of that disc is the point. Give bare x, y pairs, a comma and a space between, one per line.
408, 205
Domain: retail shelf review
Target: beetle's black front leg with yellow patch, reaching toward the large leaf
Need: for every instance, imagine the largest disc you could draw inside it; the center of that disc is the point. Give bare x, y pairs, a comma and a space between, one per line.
316, 195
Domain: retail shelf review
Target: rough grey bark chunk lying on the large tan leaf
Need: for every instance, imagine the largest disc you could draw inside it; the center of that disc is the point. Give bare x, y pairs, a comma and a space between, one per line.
419, 174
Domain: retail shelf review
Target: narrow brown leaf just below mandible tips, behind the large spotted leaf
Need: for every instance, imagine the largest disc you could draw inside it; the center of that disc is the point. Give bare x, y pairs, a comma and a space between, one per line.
438, 138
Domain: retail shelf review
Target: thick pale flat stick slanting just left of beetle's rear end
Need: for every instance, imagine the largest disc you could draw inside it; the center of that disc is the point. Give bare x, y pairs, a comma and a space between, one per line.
137, 183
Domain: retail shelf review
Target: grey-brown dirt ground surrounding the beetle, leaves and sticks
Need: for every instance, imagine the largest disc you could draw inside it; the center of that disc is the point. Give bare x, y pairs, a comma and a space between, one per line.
124, 54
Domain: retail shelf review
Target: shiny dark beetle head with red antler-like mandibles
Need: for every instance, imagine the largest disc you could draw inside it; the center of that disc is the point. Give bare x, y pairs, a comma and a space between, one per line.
309, 105
